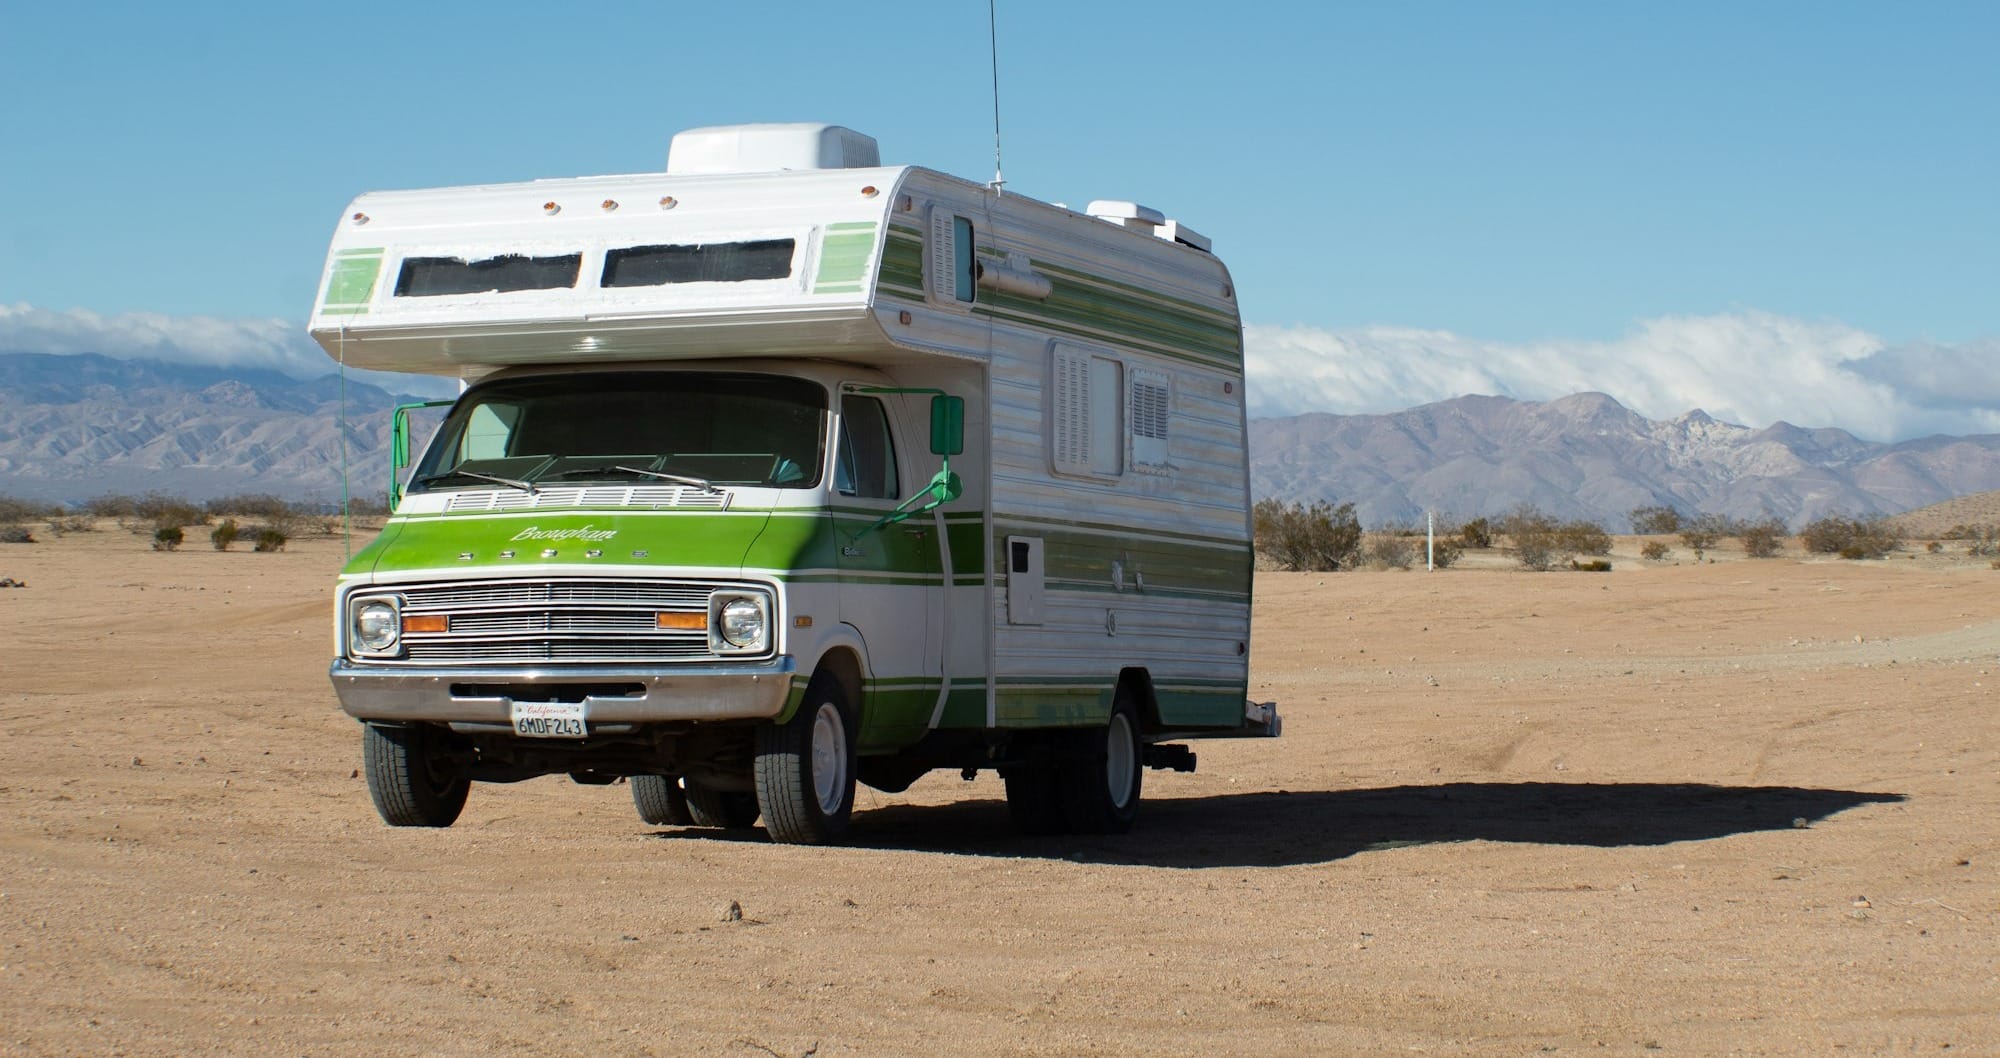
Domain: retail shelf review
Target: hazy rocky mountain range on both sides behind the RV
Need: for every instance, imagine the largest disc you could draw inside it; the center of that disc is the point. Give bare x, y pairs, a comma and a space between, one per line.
79, 427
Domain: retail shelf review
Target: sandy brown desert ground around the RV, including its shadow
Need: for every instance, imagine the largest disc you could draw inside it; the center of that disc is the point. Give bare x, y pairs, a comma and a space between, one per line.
1703, 809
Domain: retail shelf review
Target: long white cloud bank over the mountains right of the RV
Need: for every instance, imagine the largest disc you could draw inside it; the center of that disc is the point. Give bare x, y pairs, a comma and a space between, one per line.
1743, 367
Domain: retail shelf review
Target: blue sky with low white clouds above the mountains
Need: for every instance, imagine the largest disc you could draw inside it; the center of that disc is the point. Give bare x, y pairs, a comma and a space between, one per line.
1573, 185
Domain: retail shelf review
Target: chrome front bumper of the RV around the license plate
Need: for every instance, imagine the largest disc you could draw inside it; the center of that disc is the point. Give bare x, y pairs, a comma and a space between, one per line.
723, 691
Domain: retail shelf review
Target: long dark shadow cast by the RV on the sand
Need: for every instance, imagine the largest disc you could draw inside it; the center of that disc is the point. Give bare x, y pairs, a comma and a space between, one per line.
1289, 829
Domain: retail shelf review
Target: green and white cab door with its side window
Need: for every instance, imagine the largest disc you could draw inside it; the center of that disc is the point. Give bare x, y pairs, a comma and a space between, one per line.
889, 577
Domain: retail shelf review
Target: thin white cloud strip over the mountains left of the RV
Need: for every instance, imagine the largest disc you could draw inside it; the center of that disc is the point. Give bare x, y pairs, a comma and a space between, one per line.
209, 341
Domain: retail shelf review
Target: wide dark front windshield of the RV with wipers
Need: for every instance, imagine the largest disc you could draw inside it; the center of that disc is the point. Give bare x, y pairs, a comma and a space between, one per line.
635, 427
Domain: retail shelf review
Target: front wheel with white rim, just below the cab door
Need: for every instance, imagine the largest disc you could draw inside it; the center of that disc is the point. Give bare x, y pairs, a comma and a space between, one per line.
805, 769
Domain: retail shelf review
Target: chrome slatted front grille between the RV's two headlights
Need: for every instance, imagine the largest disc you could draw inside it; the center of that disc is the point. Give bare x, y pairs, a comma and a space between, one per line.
569, 621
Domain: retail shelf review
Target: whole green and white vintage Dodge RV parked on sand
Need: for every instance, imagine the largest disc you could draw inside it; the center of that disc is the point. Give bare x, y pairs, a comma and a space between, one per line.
787, 469
